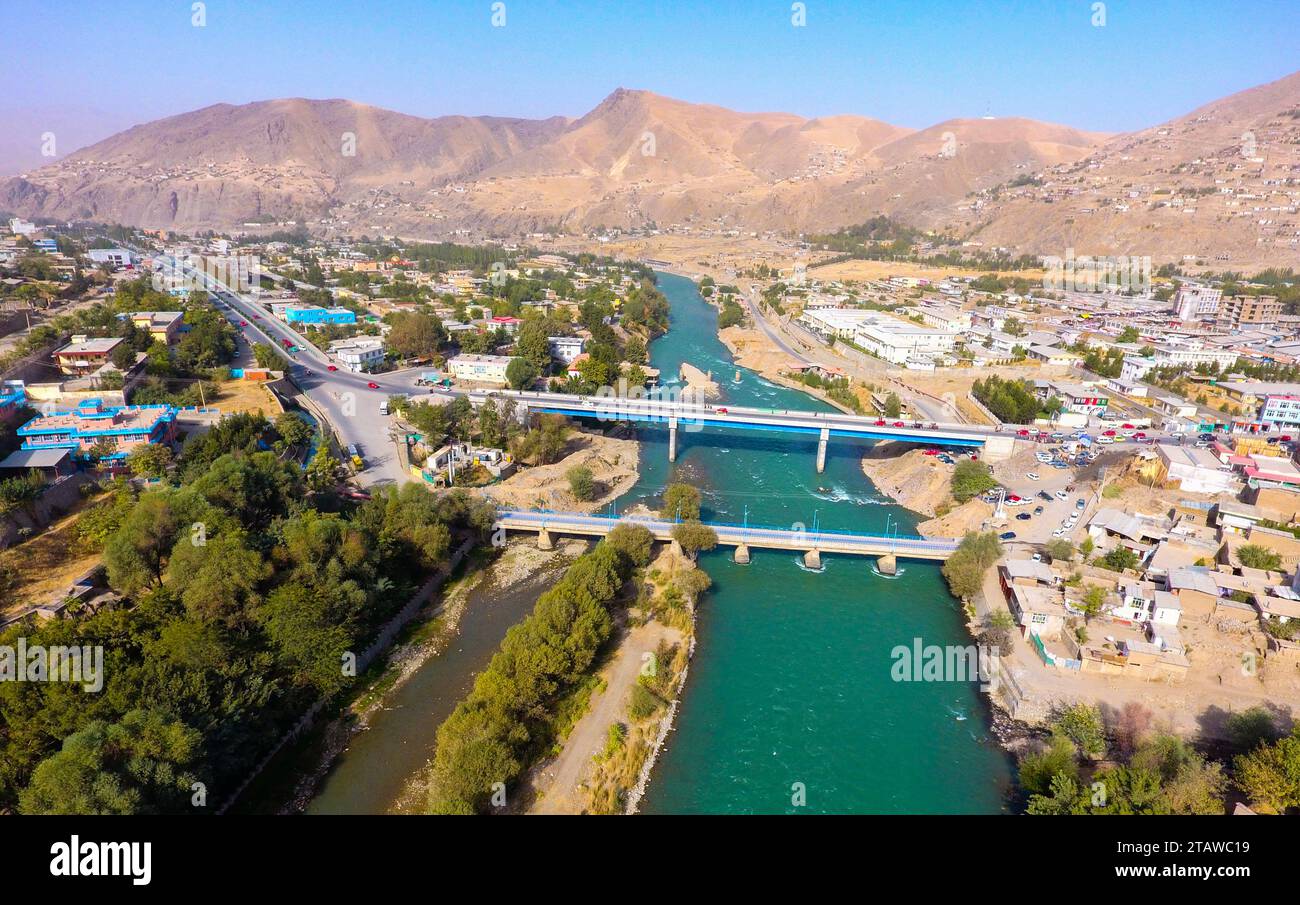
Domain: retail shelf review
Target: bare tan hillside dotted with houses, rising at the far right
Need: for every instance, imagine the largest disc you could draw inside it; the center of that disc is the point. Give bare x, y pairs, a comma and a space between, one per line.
1220, 185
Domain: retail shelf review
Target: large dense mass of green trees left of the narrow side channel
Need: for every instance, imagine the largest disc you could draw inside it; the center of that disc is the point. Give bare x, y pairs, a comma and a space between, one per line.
240, 601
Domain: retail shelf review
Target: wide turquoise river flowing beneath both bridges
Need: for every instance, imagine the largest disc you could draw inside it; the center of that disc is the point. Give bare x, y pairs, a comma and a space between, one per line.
791, 687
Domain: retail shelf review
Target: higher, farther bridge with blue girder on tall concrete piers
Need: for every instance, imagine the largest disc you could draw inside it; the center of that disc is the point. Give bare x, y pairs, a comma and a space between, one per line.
692, 417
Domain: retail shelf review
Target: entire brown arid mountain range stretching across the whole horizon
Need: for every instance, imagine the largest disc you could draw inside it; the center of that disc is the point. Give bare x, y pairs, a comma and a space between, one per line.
640, 159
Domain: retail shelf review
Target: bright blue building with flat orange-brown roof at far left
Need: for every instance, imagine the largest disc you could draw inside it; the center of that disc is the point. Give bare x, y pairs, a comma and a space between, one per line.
114, 432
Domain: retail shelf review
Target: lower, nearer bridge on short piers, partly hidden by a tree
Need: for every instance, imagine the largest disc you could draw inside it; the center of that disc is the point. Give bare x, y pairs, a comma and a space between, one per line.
743, 538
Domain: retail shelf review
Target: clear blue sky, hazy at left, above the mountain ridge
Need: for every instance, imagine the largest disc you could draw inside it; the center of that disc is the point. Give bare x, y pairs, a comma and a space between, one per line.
912, 63
